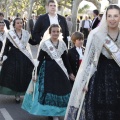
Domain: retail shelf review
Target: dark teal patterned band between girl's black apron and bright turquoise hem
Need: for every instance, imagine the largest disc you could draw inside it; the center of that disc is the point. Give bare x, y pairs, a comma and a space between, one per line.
49, 98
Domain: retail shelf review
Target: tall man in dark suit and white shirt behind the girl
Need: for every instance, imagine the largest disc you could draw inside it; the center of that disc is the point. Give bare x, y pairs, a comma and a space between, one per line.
44, 21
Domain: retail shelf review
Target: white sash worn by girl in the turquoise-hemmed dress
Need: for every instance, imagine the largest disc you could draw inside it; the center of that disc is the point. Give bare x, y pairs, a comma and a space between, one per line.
54, 55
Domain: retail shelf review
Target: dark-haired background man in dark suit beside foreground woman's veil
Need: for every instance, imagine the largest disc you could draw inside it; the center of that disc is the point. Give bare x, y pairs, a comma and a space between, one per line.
96, 20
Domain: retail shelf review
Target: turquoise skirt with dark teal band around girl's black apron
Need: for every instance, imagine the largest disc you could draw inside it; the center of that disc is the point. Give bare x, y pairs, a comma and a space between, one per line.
44, 104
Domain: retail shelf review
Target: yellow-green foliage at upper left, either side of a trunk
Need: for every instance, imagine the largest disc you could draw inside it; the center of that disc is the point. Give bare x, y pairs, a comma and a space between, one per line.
20, 6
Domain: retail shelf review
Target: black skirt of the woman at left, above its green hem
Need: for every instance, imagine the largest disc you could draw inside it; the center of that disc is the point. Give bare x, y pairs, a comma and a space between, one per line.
16, 71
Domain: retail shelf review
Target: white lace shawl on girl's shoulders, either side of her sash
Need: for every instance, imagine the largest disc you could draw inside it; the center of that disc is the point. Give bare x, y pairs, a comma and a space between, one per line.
61, 48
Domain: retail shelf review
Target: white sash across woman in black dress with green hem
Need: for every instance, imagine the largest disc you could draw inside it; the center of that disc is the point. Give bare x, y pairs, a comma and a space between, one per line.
17, 43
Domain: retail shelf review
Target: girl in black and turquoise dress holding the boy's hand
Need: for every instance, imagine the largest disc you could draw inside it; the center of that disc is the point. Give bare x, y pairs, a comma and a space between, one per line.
53, 87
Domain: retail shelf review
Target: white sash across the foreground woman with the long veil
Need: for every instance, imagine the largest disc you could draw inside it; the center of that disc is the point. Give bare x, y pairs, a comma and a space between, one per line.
113, 50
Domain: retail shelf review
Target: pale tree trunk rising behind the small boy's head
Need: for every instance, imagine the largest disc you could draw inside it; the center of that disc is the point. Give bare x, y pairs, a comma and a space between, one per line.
74, 14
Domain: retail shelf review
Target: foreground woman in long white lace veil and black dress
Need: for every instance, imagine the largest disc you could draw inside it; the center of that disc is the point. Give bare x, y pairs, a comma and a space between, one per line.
100, 65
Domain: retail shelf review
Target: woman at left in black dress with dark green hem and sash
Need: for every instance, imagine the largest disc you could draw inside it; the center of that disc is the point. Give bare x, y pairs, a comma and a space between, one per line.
17, 69
